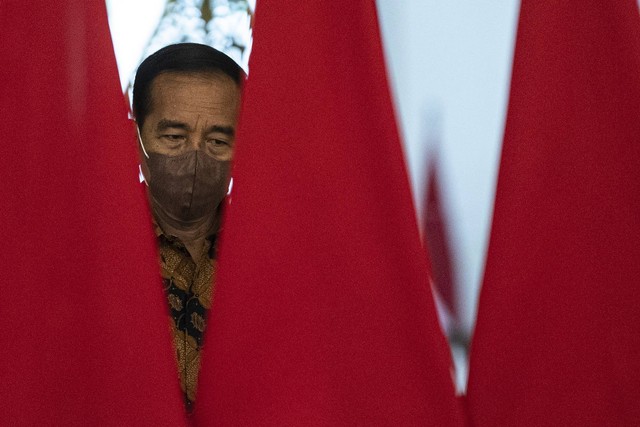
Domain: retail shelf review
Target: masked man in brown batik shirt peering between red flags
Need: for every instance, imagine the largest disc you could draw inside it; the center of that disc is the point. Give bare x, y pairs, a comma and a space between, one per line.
186, 100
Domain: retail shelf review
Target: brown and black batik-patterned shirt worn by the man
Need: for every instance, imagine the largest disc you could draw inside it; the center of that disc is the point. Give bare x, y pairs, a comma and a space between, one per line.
189, 289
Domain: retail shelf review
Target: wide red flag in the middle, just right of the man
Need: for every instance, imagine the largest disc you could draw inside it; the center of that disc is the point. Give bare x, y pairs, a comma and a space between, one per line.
323, 313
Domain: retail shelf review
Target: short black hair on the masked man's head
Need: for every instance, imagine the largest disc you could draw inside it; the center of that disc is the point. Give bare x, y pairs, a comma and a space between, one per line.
180, 58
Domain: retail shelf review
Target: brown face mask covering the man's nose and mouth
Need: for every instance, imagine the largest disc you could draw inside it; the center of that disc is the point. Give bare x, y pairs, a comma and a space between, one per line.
187, 187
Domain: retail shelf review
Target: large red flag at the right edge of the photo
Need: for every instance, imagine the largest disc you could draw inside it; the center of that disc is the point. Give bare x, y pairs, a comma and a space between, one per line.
558, 331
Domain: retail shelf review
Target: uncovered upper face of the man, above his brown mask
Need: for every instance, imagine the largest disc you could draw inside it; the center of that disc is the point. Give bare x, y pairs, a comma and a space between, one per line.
190, 112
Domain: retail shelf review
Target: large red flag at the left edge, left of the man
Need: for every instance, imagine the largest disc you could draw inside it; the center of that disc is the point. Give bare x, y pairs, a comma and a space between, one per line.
85, 338
